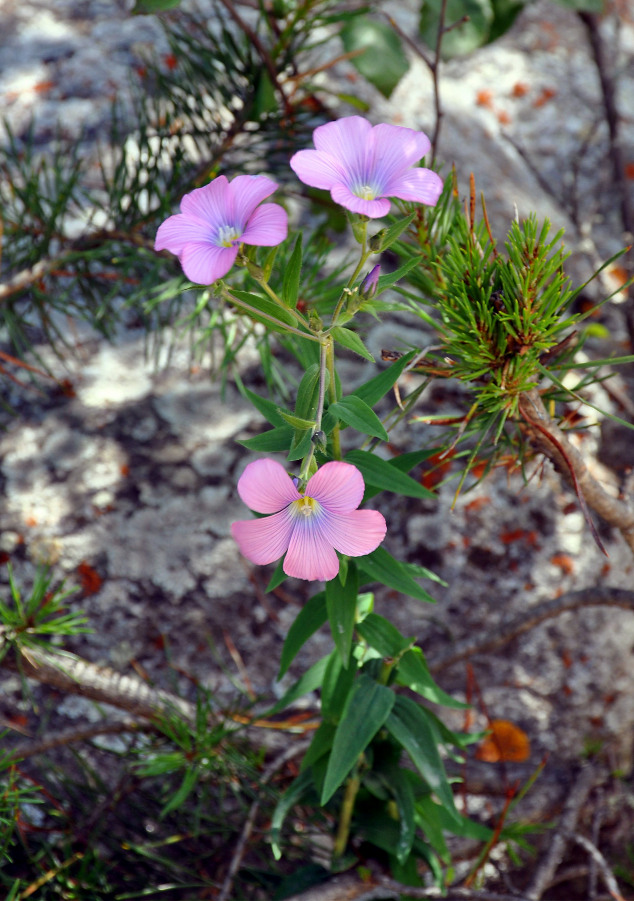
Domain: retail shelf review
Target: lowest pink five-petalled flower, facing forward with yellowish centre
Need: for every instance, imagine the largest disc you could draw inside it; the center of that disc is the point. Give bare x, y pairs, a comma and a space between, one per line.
310, 527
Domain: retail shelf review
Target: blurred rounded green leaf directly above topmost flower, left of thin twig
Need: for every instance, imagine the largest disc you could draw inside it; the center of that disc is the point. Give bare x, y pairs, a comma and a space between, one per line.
383, 61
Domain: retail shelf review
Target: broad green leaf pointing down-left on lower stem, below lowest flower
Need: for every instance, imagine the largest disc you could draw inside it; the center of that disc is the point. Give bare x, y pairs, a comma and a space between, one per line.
369, 706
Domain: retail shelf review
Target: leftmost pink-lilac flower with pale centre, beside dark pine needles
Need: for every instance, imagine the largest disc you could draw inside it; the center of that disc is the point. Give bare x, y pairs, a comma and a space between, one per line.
216, 219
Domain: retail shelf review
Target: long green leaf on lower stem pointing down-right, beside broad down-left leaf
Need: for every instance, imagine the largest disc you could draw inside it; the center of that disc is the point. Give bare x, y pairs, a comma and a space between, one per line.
408, 724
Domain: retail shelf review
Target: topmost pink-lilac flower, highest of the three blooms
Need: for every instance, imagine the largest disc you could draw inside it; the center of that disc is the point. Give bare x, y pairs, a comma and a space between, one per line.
362, 165
